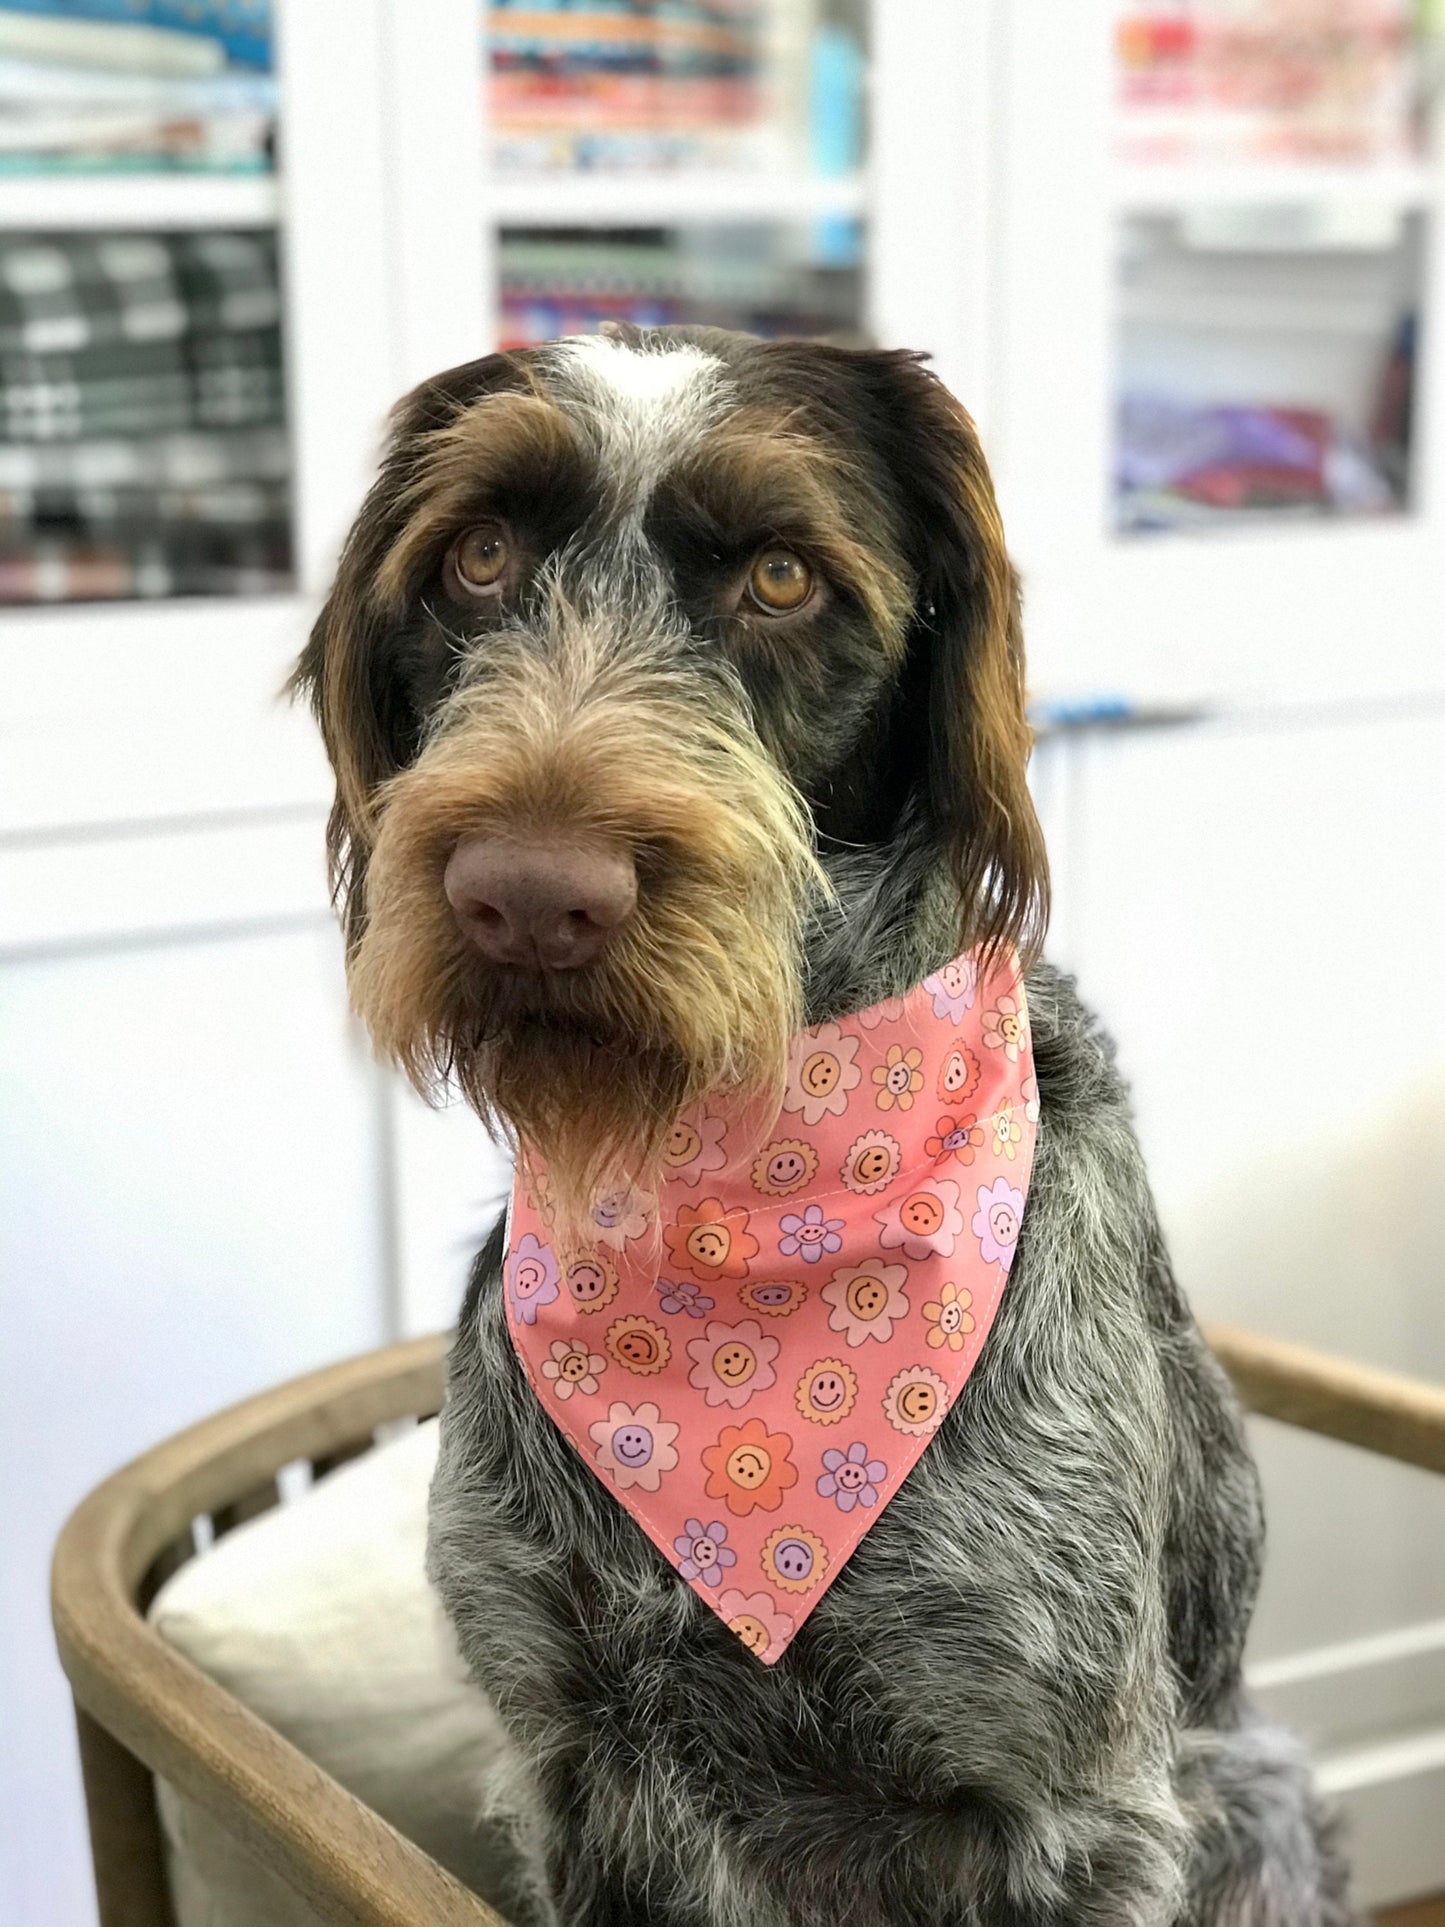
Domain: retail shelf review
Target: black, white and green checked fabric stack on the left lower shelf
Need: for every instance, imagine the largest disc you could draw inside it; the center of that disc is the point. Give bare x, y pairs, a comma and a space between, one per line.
142, 408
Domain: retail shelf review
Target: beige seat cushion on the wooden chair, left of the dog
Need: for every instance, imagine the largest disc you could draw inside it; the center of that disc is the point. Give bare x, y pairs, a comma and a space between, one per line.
319, 1618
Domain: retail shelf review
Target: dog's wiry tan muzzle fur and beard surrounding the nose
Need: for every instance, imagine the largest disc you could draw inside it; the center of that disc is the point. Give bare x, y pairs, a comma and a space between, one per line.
696, 995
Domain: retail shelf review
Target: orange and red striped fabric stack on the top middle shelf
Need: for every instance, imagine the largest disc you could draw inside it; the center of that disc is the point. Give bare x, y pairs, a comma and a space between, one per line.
625, 84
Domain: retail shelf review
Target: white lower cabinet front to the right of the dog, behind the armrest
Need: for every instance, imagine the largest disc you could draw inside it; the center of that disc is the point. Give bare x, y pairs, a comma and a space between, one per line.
1257, 914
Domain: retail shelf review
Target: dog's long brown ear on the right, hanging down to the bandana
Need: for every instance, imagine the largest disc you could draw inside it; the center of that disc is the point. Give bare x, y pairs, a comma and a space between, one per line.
966, 664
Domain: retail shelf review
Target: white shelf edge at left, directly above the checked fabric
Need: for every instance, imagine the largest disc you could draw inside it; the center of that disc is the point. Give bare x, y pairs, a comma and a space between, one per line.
140, 201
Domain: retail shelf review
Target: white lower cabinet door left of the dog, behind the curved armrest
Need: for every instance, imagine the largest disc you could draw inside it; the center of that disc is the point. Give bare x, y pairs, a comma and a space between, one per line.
190, 1213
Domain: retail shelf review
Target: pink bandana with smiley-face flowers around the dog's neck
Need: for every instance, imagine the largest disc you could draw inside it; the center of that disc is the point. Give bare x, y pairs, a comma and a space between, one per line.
756, 1383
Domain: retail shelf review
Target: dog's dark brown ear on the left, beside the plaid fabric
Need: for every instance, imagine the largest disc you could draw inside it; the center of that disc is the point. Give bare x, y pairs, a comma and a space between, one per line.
346, 670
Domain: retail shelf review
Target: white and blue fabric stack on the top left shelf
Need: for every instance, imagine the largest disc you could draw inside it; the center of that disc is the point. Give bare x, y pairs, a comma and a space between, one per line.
124, 86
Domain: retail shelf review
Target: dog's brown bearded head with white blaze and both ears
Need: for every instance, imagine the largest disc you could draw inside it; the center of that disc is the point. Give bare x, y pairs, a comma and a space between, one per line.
631, 637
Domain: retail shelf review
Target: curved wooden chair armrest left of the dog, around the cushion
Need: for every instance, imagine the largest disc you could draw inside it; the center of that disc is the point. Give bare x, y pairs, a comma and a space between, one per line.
334, 1851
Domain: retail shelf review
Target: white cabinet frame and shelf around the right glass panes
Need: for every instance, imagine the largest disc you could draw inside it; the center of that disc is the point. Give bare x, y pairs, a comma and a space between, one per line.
1328, 612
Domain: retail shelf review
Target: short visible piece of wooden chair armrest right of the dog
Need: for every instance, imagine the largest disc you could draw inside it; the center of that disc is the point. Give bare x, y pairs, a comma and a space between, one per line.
1380, 1412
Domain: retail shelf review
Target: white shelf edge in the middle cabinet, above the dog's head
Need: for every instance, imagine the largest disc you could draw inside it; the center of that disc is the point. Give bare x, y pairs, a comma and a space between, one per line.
664, 199
